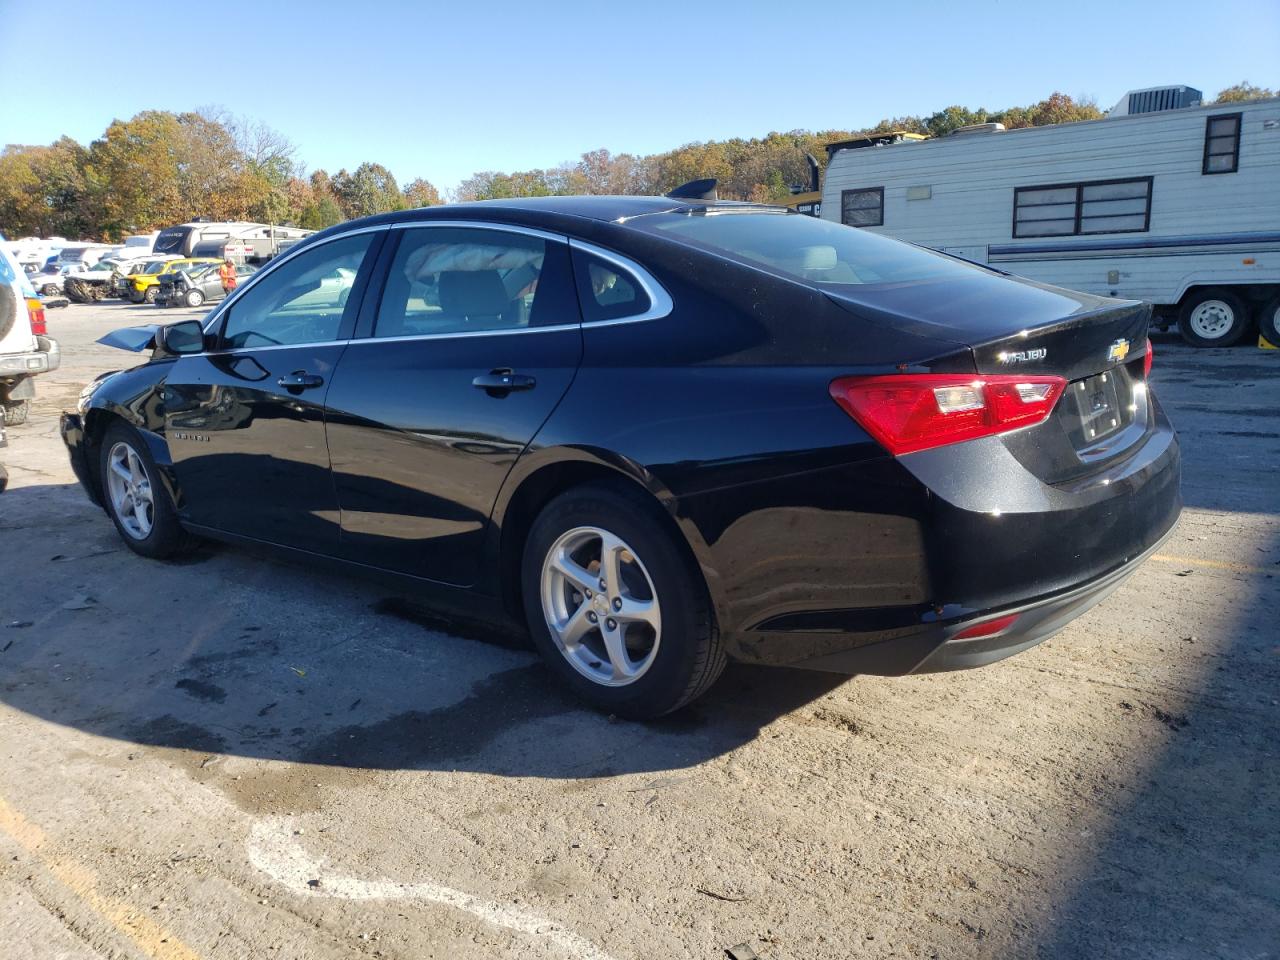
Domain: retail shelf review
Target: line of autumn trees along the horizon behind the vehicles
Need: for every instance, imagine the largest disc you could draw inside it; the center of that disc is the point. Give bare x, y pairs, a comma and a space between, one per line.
162, 168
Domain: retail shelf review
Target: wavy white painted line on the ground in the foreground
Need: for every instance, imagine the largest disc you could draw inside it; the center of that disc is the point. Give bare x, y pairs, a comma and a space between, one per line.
275, 851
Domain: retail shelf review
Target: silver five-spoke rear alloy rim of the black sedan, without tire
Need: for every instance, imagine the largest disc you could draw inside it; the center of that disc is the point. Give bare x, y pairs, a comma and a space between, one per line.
601, 606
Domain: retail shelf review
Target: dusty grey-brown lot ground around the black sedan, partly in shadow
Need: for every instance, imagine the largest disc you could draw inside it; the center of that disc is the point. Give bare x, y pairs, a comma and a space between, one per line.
239, 758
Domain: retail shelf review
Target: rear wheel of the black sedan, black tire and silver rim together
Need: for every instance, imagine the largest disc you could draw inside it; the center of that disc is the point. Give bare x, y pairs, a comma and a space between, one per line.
664, 616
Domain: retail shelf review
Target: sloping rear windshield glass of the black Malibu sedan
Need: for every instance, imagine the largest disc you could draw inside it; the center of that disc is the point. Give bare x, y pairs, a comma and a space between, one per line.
804, 248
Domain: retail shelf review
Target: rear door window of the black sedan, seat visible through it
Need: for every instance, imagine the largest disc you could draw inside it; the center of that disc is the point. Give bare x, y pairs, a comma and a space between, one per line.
458, 281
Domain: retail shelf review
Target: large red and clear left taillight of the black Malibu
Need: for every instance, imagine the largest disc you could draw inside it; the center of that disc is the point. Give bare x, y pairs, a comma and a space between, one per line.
913, 413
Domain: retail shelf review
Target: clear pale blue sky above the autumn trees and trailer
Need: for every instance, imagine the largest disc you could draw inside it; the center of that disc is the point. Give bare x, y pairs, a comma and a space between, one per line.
442, 90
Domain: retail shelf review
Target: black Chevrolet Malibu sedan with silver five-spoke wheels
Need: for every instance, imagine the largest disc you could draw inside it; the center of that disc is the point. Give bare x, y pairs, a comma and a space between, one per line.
661, 433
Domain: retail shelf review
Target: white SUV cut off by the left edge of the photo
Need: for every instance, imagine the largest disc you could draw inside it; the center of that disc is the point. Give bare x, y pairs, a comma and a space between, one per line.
26, 349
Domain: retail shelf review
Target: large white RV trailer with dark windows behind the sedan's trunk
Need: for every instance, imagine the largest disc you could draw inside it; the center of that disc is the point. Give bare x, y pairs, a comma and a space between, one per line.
1165, 200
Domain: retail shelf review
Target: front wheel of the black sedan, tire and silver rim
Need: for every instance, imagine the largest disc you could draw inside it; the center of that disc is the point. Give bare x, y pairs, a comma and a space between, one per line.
163, 537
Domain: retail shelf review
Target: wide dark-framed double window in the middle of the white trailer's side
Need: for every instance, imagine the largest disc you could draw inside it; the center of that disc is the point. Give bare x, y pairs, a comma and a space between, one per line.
1073, 209
